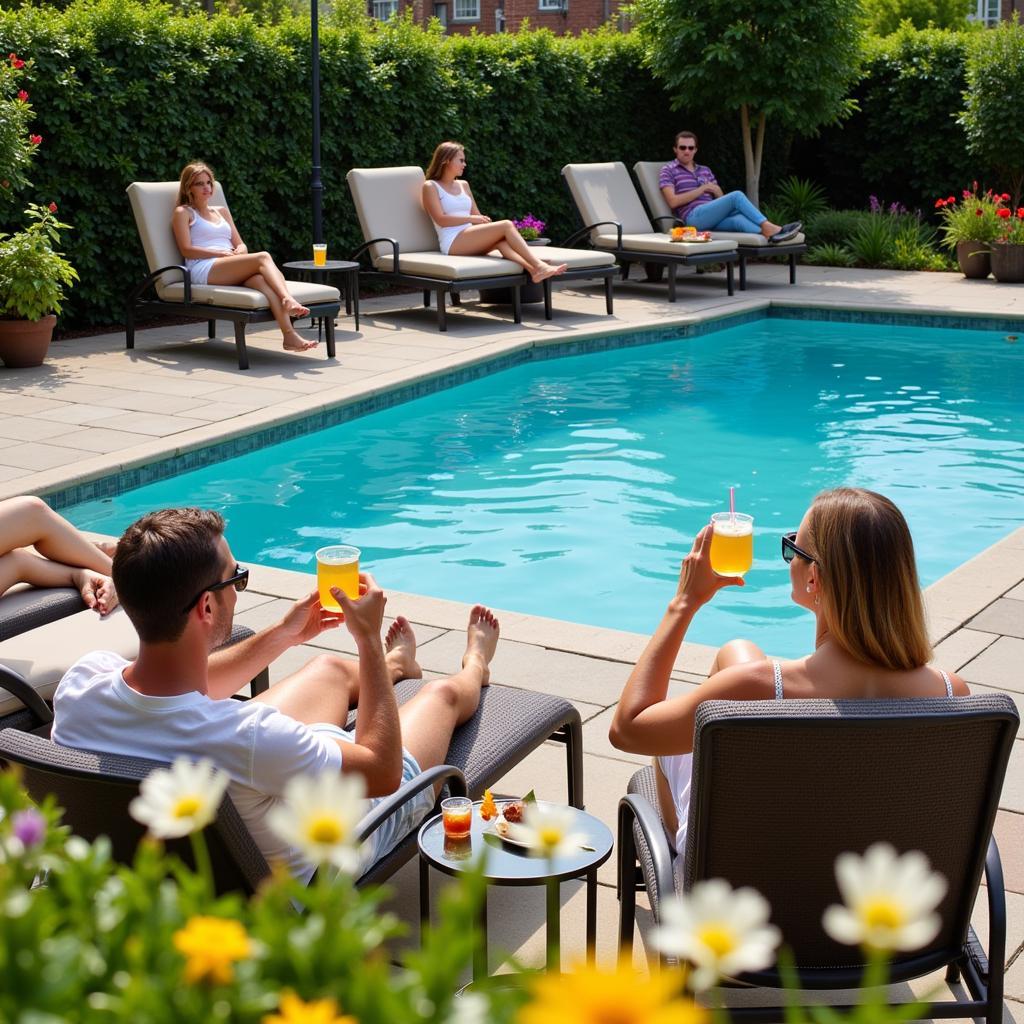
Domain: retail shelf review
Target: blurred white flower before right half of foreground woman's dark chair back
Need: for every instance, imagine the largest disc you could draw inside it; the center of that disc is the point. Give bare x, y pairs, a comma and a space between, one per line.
890, 901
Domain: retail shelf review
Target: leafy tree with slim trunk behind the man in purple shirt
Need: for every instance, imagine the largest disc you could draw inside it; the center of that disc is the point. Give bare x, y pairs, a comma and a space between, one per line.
792, 62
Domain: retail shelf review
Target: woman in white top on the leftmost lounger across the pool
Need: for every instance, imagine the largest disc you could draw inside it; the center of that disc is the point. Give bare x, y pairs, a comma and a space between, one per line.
216, 254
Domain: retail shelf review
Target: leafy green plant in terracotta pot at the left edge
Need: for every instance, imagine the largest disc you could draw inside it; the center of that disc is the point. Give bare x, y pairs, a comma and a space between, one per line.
34, 277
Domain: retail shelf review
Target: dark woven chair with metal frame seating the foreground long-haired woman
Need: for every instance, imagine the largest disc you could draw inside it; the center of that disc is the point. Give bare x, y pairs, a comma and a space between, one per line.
781, 789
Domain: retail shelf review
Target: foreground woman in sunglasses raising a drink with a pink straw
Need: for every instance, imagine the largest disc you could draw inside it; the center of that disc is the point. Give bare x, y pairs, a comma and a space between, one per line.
852, 567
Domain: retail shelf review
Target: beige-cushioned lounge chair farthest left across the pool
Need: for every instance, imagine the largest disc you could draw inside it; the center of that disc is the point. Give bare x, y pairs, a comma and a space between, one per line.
167, 290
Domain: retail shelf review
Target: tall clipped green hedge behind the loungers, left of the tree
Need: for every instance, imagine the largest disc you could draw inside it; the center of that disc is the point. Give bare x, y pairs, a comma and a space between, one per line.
126, 91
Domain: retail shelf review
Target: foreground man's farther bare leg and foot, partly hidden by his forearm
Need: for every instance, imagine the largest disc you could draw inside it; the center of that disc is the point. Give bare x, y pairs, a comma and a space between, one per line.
327, 688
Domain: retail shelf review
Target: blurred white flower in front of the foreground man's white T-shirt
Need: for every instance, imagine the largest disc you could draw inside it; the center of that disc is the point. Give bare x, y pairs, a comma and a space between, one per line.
319, 816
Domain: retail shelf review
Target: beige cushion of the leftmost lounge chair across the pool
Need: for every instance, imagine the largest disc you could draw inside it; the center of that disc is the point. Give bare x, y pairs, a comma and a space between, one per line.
153, 203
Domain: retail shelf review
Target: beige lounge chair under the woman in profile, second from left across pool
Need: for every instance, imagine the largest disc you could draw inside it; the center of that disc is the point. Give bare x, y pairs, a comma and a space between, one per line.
401, 245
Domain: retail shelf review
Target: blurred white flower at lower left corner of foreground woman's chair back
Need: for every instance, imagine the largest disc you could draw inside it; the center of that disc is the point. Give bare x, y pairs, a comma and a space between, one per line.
721, 931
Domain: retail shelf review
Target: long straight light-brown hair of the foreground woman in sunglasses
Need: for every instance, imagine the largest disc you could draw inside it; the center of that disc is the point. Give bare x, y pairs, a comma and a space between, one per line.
871, 598
